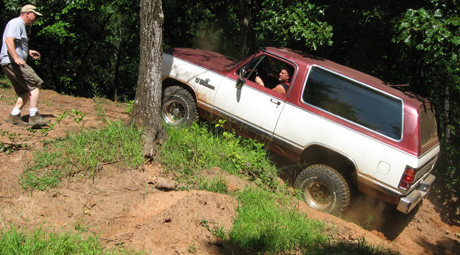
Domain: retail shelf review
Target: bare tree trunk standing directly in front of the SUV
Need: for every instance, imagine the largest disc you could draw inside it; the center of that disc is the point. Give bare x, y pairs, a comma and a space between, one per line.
146, 113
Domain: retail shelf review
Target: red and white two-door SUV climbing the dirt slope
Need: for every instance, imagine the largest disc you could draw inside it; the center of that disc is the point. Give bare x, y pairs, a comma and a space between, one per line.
345, 128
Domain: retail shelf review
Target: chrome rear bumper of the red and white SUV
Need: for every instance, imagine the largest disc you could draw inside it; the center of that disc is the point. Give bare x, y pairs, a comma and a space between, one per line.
408, 202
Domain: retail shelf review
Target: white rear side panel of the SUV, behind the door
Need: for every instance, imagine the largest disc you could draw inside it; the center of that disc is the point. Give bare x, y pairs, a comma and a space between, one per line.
303, 129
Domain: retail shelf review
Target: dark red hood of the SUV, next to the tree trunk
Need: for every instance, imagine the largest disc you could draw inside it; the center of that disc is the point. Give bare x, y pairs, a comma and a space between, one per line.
208, 59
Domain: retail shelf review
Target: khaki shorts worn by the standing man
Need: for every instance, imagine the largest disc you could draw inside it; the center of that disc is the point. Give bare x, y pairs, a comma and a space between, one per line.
23, 78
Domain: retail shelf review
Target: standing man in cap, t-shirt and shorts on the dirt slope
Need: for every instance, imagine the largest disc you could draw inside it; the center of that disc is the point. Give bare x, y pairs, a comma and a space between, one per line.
26, 82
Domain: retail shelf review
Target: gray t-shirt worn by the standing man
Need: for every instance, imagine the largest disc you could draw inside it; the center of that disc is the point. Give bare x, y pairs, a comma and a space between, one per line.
15, 28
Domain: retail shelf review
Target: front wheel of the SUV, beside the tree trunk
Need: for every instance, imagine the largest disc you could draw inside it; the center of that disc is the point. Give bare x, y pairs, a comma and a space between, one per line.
178, 107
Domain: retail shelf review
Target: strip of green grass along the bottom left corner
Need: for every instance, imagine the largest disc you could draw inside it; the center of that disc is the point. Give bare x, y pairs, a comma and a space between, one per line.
14, 242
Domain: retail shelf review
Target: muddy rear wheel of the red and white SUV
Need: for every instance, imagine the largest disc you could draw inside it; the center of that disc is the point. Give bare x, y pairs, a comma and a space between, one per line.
324, 189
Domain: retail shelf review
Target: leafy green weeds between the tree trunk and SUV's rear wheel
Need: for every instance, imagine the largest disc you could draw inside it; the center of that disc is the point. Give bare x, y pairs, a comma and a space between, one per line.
197, 148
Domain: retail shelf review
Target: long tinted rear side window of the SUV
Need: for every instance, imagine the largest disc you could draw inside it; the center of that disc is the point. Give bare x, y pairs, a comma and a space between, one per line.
354, 101
